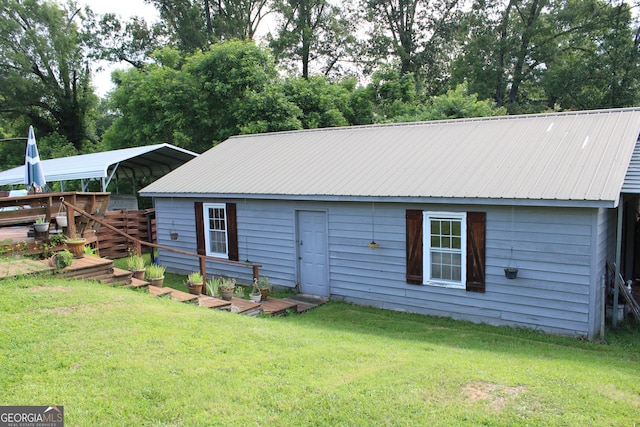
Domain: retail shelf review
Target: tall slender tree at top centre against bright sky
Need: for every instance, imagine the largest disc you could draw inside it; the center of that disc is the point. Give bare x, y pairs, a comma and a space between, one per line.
313, 31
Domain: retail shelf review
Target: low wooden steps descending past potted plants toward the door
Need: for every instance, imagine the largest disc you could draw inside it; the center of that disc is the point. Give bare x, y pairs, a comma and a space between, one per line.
103, 270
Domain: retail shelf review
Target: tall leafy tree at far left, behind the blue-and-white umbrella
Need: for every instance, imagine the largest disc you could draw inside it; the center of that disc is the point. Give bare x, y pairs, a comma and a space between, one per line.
44, 74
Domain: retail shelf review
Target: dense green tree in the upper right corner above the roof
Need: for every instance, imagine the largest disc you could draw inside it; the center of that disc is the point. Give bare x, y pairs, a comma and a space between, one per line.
598, 65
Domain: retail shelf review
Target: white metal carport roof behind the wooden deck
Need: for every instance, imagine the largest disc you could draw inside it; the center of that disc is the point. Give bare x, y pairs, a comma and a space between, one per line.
149, 161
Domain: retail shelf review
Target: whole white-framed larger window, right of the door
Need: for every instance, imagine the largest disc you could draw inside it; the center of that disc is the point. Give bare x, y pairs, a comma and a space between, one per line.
445, 249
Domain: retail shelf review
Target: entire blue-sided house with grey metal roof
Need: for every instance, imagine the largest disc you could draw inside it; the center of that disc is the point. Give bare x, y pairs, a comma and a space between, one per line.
422, 217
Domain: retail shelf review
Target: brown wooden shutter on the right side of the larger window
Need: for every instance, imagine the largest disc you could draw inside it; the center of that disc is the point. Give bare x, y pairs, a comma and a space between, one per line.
476, 230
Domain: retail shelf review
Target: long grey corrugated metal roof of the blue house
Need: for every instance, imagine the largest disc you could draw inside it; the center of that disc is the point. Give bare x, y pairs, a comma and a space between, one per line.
577, 156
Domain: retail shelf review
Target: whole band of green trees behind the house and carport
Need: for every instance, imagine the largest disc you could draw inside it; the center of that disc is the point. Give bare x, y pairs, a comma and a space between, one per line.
208, 70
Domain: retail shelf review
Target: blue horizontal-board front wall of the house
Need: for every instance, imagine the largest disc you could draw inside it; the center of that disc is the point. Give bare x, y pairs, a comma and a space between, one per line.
560, 254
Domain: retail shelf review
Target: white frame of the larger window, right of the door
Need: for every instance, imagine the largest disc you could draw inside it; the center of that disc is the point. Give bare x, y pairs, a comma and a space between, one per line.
427, 216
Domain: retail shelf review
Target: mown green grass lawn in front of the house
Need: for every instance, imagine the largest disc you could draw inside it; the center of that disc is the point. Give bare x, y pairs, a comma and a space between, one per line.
118, 357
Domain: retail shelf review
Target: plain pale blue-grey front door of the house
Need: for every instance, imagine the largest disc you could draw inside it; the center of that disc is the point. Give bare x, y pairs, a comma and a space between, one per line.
313, 253
